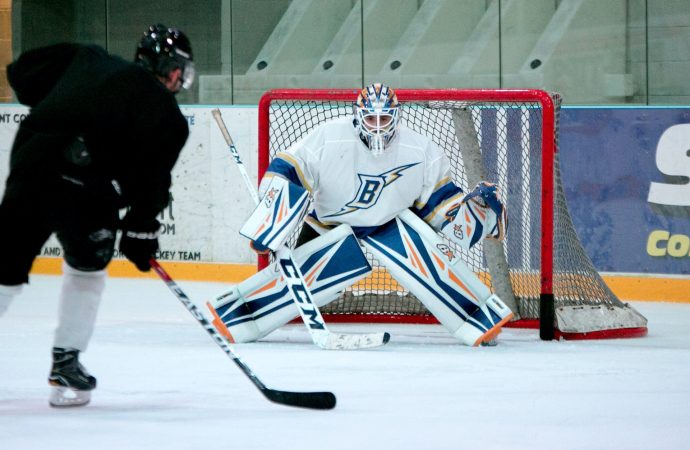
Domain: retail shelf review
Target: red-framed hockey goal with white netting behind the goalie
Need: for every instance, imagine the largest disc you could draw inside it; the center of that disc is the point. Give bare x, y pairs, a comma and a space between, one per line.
505, 136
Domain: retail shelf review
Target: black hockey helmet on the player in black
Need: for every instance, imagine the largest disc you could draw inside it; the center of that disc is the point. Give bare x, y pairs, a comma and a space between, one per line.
164, 49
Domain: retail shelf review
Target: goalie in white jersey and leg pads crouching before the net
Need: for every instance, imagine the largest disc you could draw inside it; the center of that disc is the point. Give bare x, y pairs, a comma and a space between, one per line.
377, 184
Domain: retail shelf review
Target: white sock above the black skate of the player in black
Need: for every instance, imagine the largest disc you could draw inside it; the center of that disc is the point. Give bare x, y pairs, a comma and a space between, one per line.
79, 301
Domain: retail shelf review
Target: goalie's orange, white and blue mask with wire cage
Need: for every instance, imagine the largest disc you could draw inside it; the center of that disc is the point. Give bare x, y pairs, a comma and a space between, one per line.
376, 116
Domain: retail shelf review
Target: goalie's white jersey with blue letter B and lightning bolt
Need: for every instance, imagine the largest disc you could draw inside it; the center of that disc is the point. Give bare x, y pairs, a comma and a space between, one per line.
350, 186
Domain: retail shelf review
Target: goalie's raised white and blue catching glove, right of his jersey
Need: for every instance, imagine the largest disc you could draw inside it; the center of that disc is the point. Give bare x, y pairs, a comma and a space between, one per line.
481, 213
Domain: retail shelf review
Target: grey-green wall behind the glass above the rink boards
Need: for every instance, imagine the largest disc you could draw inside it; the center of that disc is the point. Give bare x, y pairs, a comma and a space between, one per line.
609, 51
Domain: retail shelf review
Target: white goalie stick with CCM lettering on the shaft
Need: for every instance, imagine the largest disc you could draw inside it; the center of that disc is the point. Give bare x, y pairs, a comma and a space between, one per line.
299, 291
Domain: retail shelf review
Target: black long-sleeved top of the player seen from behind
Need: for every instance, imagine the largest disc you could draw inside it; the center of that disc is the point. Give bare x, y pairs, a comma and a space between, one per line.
129, 123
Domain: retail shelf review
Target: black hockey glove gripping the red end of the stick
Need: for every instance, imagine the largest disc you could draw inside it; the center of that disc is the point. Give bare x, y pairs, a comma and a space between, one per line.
139, 241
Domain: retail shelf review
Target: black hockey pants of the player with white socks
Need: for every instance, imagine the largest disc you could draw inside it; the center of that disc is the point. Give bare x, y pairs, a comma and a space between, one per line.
34, 208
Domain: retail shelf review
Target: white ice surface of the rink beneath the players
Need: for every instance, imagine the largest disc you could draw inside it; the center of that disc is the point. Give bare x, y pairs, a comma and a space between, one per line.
164, 384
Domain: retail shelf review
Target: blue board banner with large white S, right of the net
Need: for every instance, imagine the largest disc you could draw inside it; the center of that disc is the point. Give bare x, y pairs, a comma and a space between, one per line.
626, 175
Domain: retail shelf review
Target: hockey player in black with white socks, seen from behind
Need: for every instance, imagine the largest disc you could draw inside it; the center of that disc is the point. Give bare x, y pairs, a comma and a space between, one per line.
103, 135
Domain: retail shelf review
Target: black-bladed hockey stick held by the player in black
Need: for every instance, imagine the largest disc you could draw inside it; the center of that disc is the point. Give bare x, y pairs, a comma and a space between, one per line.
313, 400
